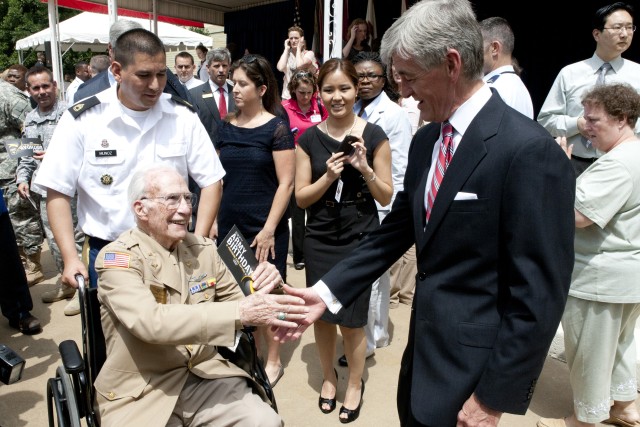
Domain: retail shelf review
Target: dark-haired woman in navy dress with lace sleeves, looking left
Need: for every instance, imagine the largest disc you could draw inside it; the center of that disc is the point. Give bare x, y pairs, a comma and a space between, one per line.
256, 150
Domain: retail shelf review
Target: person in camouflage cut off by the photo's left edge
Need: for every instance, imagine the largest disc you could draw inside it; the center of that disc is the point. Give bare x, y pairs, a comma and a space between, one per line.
14, 106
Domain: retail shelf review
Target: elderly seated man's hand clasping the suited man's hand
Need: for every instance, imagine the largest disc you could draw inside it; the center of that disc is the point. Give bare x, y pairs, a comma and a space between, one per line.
281, 311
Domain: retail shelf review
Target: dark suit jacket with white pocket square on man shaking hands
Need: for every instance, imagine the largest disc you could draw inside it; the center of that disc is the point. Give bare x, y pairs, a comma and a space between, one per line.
493, 273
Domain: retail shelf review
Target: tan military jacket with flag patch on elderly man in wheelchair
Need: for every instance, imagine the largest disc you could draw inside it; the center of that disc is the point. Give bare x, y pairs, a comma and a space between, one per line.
161, 324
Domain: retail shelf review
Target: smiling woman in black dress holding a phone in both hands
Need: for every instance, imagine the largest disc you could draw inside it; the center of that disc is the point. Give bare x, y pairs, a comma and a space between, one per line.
338, 192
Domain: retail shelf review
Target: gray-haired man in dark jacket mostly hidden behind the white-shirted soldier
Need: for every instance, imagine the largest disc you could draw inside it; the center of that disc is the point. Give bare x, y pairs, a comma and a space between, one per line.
105, 79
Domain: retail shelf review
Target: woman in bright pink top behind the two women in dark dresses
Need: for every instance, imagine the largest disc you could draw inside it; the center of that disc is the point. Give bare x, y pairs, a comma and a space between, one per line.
304, 110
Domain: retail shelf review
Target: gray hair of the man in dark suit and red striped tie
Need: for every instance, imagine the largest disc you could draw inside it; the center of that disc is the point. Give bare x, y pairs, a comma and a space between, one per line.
429, 28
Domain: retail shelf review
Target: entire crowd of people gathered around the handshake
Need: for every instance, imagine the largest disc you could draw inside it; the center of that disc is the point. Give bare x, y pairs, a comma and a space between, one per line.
418, 174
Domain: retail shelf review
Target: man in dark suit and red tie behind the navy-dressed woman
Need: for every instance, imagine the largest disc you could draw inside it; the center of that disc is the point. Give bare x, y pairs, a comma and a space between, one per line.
216, 94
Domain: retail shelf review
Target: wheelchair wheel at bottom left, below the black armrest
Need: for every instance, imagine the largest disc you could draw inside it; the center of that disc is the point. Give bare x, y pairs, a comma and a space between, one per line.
61, 397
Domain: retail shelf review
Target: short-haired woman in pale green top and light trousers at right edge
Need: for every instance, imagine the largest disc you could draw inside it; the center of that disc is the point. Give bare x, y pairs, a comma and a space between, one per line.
604, 298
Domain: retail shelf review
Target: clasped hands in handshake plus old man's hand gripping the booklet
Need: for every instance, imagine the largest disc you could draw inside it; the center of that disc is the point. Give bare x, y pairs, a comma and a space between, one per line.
289, 314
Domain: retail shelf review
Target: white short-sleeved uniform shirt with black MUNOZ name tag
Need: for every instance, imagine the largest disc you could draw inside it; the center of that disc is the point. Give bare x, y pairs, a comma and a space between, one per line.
97, 153
